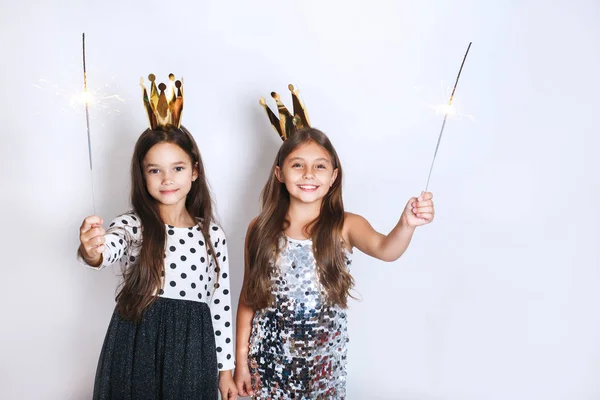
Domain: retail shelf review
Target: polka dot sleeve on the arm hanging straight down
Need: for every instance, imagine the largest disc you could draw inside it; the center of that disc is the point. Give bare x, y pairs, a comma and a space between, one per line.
220, 304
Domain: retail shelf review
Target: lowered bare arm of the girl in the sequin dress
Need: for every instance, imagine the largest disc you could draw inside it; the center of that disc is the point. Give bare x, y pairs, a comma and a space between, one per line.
245, 314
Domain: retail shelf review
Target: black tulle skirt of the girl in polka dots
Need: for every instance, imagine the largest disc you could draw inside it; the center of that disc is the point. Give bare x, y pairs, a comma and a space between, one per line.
169, 354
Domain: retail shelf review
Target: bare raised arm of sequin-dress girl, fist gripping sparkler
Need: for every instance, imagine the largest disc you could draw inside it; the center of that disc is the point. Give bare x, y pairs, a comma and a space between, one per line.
418, 211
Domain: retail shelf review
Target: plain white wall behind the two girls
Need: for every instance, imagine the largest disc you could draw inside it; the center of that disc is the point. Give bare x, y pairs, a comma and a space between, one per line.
496, 300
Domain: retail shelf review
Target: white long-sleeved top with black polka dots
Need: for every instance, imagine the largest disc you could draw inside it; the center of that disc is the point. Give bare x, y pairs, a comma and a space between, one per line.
190, 272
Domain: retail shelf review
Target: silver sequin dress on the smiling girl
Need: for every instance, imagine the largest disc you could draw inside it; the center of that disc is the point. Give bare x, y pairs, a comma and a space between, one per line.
298, 346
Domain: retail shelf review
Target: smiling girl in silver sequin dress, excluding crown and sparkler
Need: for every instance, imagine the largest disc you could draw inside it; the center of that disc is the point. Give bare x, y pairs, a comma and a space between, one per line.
291, 321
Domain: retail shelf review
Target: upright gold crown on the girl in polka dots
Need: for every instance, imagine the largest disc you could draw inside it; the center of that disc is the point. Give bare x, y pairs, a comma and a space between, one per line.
164, 108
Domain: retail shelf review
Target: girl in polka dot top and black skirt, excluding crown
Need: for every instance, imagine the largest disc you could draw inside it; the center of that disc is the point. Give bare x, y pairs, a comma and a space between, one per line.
171, 330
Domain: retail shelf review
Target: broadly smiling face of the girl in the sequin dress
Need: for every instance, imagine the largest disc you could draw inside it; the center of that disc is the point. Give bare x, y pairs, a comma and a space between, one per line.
307, 173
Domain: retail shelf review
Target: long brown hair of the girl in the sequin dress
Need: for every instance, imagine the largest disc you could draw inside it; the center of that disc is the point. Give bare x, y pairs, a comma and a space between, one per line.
326, 231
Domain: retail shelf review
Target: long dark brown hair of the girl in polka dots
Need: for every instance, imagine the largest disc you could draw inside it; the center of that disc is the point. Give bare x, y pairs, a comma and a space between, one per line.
143, 279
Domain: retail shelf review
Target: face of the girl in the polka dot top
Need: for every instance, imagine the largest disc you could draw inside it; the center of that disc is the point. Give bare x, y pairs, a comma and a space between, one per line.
169, 174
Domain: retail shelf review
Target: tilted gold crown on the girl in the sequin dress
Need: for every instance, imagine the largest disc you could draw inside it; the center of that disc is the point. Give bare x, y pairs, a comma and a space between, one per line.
287, 124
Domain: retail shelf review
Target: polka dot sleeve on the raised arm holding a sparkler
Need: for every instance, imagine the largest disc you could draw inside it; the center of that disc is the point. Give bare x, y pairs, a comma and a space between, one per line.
122, 243
